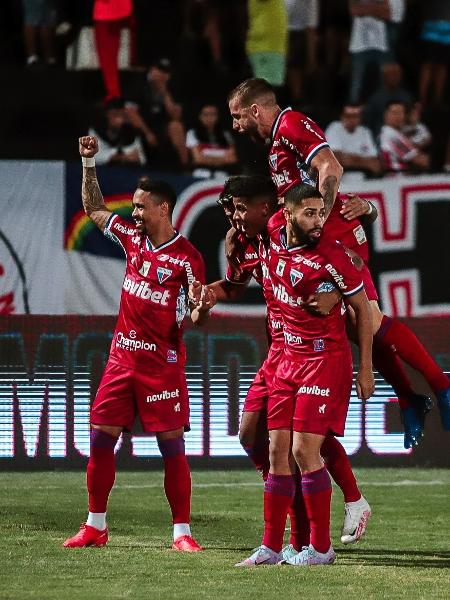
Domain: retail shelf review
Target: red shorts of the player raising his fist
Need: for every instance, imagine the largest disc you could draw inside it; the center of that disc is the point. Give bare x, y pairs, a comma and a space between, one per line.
161, 400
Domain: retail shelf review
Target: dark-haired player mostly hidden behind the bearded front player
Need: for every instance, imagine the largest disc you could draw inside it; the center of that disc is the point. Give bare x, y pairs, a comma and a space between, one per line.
254, 203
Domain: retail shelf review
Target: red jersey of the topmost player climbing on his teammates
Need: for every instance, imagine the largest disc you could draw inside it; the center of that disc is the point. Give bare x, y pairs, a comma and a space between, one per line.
295, 141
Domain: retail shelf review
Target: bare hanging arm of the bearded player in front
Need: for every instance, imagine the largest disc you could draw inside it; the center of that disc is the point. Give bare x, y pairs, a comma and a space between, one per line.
365, 383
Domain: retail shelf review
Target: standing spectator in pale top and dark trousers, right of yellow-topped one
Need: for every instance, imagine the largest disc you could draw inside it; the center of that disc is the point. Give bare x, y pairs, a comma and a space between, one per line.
303, 20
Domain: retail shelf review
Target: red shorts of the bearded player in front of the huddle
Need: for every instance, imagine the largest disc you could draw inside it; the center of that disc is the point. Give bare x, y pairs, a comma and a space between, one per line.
312, 395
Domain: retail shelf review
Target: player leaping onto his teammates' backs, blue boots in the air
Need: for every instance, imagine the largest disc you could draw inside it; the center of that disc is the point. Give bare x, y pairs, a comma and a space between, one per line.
299, 152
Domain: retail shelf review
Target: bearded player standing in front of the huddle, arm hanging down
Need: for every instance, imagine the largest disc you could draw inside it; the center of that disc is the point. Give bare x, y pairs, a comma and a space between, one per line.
311, 389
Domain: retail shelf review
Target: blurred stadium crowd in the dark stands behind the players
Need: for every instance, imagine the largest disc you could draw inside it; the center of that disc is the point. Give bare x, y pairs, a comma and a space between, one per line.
373, 71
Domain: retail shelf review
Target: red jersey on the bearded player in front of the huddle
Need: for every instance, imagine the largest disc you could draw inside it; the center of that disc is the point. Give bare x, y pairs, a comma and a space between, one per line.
297, 273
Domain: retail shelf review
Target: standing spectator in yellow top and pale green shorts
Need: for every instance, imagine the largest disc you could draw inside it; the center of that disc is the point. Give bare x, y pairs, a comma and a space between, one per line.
267, 40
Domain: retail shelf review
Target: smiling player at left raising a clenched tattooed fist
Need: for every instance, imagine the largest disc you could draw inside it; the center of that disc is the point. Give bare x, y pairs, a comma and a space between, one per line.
145, 369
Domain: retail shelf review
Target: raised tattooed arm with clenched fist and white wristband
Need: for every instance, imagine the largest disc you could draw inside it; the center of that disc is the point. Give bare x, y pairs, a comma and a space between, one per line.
91, 194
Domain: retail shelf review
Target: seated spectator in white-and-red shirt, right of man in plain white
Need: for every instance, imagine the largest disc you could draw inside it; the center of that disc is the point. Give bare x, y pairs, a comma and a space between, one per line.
398, 151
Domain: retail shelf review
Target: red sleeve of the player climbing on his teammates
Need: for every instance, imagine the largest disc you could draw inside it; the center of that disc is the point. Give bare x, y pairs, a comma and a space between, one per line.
305, 135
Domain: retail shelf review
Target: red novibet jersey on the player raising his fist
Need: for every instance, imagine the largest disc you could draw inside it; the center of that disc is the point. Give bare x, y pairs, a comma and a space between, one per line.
149, 330
